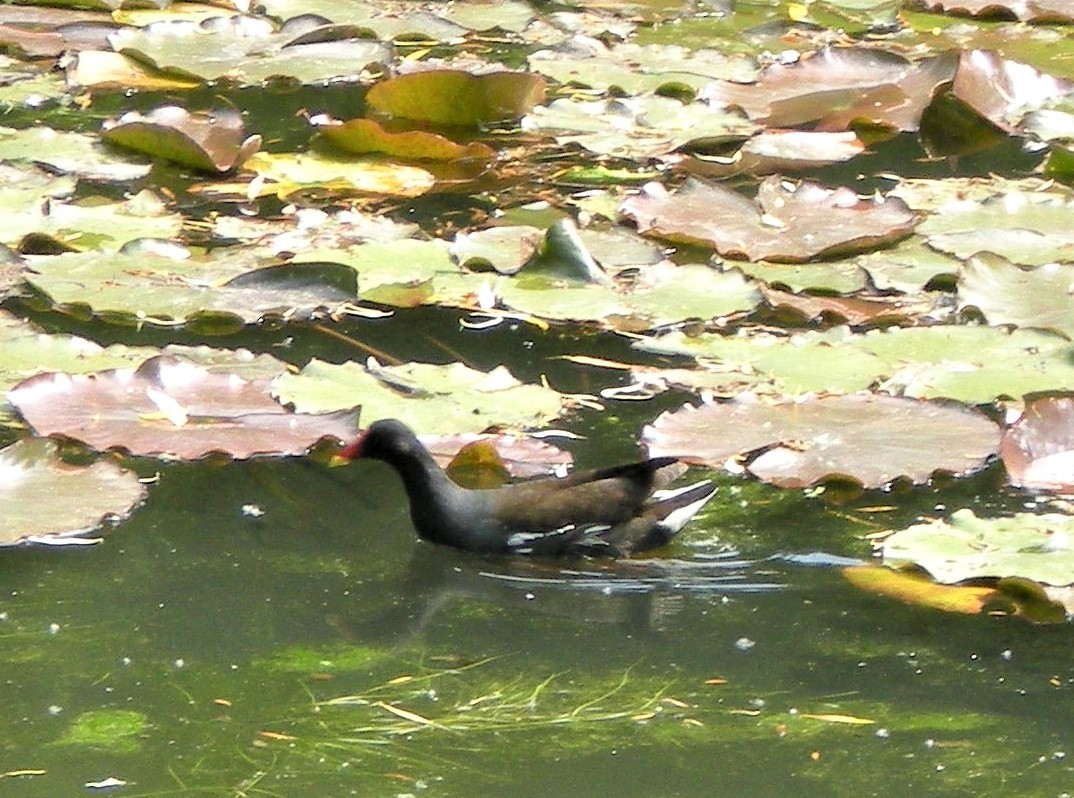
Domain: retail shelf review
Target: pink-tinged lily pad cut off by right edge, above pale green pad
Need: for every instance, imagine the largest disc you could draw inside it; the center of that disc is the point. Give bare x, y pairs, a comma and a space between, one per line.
1038, 449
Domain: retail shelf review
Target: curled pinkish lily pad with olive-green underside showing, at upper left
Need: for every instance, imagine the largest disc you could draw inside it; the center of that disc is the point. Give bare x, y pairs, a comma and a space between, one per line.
210, 142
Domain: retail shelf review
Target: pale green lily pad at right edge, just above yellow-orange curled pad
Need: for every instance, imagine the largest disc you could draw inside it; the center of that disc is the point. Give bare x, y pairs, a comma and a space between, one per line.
965, 547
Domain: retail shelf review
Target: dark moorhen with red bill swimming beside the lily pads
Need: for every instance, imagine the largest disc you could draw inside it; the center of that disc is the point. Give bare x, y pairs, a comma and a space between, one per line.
608, 513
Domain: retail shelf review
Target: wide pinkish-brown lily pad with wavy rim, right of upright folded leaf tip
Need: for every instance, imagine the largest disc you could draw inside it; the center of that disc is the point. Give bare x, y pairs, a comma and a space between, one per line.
788, 223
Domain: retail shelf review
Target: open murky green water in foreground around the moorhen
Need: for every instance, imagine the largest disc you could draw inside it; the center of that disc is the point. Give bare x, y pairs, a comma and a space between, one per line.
312, 647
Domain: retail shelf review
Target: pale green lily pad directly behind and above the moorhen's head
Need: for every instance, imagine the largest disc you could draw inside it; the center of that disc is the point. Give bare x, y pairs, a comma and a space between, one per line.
432, 399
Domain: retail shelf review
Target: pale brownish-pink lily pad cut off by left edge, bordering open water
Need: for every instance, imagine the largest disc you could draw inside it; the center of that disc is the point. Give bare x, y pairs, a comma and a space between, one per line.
80, 500
